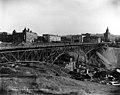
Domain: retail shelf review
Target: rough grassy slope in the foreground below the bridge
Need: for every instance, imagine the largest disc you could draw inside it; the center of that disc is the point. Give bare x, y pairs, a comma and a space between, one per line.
43, 80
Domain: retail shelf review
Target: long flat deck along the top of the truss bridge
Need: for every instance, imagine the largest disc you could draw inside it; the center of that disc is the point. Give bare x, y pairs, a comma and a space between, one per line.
25, 47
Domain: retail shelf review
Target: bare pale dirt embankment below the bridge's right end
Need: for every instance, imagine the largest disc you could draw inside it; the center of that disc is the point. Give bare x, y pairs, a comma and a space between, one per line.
105, 57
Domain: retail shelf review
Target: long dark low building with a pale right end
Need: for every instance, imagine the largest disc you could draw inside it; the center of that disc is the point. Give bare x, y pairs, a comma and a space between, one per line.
91, 39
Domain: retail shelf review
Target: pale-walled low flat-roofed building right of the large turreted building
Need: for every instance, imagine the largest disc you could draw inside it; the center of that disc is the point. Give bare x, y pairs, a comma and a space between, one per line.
51, 38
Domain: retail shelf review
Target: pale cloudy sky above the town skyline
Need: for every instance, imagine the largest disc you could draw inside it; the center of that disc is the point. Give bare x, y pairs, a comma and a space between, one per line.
61, 17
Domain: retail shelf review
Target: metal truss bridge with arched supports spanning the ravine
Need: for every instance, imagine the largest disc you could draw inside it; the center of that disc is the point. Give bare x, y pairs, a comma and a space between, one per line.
40, 53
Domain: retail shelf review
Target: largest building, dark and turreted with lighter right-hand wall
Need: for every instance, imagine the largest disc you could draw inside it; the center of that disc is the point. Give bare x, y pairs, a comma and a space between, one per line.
26, 36
